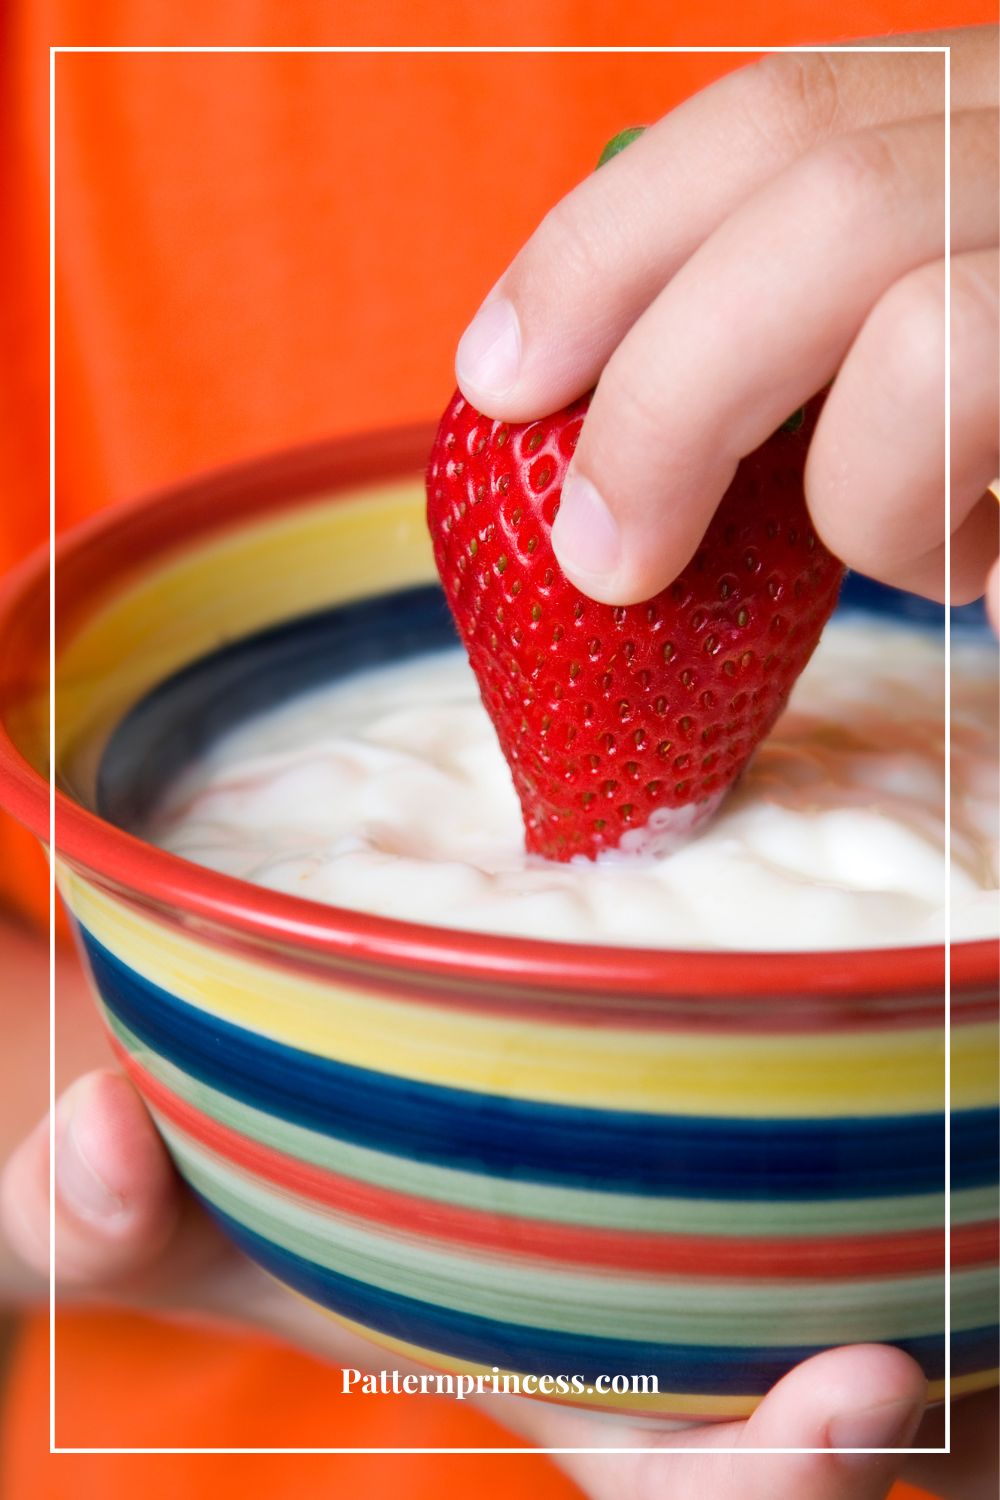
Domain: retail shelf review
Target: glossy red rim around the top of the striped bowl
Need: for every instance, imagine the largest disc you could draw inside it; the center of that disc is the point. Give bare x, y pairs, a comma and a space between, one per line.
140, 530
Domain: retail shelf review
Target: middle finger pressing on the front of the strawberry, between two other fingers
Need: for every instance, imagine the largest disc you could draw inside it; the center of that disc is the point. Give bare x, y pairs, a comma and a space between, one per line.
755, 323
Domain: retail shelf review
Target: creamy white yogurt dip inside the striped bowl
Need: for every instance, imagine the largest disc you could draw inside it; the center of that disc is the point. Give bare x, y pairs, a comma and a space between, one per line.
388, 793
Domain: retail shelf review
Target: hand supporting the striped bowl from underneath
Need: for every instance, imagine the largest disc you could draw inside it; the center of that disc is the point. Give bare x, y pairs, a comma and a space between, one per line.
127, 1228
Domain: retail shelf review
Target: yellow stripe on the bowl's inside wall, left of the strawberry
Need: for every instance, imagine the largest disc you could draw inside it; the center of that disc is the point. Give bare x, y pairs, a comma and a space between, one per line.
310, 557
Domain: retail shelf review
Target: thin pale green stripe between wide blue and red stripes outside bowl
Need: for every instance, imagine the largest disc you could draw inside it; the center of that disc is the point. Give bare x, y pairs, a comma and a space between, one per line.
554, 1204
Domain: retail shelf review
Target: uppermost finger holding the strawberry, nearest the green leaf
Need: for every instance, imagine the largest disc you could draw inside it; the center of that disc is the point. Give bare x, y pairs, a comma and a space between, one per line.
600, 257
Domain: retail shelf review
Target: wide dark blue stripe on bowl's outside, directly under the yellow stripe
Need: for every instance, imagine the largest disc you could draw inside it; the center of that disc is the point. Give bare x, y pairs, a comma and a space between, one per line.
605, 1150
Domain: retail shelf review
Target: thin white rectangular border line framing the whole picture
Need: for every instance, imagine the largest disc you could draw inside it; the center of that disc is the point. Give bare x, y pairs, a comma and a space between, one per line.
947, 53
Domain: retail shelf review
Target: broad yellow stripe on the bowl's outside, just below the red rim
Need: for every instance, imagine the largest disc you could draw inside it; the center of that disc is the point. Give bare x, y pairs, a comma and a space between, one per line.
756, 1076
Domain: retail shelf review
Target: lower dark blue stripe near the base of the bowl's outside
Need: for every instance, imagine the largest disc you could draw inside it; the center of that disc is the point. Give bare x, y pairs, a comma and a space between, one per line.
698, 1369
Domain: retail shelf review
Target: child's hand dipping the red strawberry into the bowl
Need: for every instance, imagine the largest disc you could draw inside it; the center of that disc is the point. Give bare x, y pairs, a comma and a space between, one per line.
783, 229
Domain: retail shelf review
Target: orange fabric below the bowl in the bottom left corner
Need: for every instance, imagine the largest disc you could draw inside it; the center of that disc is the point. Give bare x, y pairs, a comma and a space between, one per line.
236, 1393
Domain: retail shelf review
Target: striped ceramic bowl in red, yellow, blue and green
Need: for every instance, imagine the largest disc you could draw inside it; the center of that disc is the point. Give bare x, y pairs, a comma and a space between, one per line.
481, 1151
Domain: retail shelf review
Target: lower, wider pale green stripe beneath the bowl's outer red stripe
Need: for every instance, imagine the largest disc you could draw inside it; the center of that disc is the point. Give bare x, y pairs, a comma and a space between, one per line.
671, 1310
